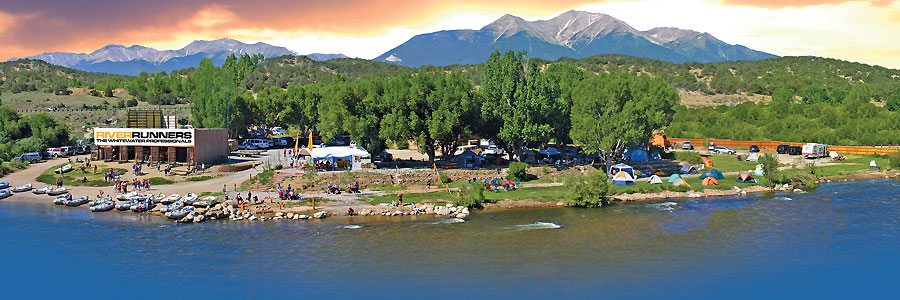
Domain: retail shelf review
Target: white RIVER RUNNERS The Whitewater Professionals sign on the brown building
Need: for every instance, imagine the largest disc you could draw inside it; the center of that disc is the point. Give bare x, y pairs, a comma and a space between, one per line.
144, 137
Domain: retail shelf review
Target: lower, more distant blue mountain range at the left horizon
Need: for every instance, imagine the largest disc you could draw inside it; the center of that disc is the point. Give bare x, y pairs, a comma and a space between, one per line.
133, 60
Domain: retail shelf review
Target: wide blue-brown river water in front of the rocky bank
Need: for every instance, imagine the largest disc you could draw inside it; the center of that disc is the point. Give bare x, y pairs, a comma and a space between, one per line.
839, 241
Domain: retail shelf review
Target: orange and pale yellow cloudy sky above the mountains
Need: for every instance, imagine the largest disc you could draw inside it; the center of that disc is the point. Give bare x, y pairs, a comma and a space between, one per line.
861, 31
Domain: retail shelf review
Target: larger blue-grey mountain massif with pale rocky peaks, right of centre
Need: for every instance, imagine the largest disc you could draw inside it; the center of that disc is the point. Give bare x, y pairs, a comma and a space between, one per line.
574, 34
